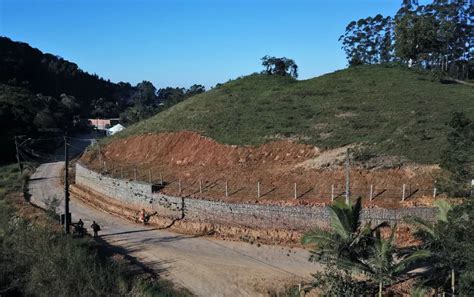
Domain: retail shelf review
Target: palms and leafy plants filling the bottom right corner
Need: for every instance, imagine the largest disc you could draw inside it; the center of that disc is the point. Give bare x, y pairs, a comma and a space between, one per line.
358, 260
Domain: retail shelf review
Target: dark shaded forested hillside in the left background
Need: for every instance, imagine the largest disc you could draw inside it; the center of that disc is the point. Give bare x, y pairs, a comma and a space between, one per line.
42, 95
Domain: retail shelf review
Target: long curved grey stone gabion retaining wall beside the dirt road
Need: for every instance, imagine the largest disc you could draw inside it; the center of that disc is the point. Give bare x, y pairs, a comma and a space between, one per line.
257, 216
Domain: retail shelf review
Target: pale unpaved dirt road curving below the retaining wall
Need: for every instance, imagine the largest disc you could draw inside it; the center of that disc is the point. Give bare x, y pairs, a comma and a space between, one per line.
205, 266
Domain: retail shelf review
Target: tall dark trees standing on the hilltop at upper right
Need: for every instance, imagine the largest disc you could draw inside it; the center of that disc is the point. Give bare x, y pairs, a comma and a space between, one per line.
435, 36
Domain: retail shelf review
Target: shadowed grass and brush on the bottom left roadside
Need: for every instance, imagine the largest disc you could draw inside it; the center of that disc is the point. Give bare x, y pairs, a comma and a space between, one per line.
37, 259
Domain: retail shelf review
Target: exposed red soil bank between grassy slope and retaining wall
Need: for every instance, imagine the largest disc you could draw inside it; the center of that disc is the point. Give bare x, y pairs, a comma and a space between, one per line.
186, 158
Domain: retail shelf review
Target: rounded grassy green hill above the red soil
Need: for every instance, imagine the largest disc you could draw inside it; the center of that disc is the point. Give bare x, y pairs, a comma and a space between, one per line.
393, 110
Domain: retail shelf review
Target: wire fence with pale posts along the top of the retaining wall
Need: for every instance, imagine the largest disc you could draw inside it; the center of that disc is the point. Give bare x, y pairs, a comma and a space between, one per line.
220, 187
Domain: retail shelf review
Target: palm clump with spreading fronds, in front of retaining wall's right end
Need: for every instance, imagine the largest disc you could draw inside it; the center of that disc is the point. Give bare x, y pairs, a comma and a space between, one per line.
353, 246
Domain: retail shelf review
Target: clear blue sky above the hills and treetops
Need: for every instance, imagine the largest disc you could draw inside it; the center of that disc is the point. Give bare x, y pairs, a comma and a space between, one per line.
178, 43
